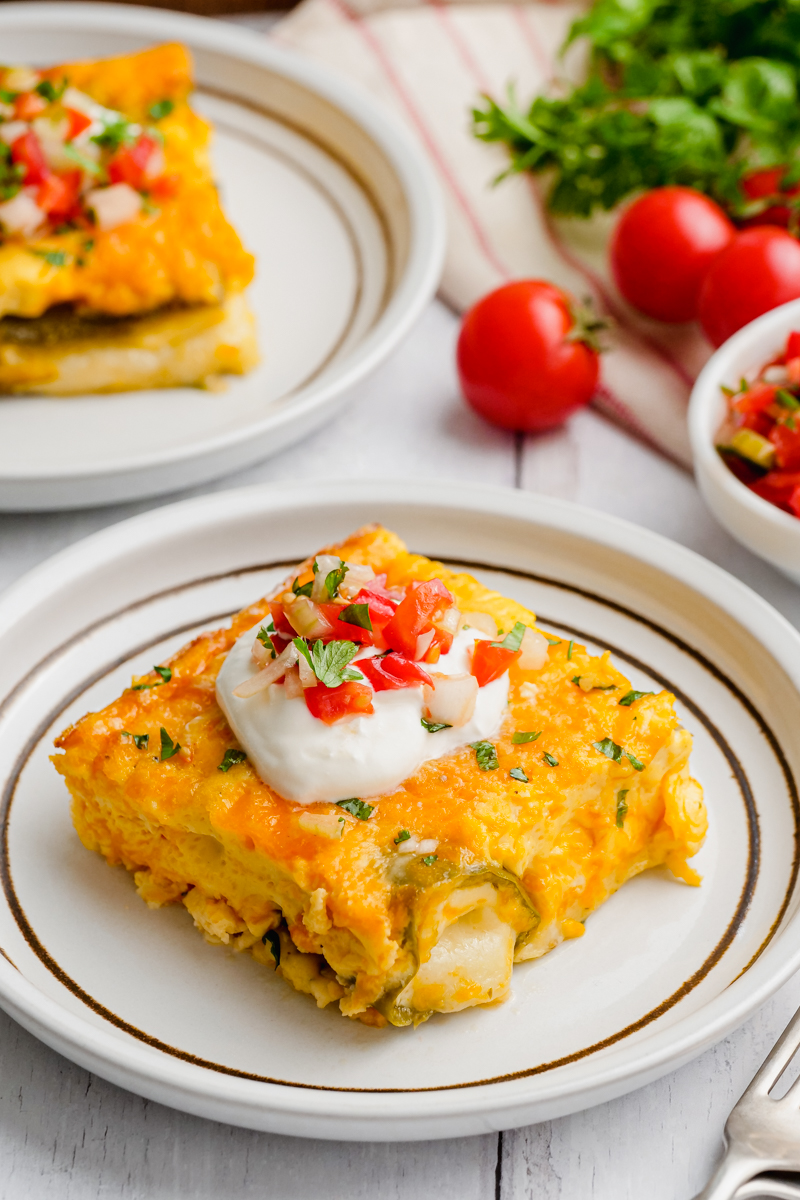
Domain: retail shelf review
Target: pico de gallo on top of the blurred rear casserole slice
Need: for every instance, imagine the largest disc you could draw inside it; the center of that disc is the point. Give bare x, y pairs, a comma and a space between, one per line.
68, 164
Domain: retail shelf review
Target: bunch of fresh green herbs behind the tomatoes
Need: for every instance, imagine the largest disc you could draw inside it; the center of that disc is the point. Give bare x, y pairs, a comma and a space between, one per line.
699, 93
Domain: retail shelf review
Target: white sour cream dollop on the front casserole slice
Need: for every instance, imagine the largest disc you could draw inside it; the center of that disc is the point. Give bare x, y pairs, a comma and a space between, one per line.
306, 761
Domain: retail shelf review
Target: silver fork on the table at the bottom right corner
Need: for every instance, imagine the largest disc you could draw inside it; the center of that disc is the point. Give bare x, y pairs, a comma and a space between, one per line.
762, 1135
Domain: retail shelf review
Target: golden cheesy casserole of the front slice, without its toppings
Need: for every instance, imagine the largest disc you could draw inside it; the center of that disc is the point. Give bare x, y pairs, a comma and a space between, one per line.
519, 867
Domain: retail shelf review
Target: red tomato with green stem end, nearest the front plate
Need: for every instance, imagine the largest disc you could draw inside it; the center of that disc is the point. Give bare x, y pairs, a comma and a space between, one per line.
525, 362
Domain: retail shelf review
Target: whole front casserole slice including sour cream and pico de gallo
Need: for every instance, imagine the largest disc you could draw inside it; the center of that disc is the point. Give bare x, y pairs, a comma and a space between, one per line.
387, 784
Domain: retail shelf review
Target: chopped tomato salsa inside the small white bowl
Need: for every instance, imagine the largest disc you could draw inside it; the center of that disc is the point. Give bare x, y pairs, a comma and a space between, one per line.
760, 441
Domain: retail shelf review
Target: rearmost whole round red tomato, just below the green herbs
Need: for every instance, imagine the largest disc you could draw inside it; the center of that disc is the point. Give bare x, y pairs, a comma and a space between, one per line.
663, 247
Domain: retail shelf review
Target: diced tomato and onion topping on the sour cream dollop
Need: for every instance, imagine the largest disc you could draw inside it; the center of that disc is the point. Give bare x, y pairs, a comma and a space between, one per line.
339, 635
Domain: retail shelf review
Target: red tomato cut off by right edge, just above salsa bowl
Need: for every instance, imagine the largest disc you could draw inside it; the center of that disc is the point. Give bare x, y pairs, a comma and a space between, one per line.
760, 271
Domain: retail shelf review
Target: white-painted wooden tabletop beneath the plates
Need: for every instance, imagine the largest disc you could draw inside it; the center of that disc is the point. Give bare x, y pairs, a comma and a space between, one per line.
69, 1136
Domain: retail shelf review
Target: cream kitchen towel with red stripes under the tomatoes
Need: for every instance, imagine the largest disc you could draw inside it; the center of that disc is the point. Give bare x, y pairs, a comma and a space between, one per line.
431, 62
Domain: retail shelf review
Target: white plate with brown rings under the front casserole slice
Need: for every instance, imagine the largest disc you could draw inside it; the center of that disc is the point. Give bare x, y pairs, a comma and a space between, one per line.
664, 970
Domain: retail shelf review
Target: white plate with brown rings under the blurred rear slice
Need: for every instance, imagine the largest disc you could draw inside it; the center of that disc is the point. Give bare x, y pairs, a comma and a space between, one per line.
345, 219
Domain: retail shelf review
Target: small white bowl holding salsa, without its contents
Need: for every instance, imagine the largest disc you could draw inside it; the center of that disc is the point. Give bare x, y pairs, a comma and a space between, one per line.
757, 525
